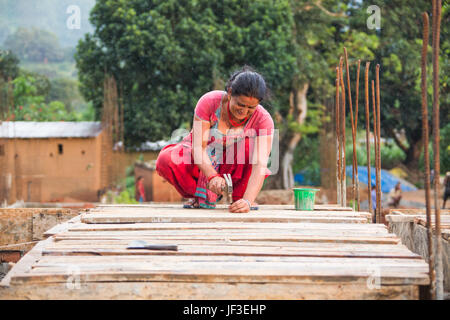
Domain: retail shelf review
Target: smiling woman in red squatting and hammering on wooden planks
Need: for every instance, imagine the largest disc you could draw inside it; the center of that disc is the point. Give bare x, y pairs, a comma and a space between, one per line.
232, 133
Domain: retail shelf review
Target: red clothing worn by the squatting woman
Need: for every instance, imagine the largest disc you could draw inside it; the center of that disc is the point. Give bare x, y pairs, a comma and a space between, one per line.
175, 162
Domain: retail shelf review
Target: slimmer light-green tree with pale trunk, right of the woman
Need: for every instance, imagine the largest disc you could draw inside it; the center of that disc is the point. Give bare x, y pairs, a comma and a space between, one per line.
320, 33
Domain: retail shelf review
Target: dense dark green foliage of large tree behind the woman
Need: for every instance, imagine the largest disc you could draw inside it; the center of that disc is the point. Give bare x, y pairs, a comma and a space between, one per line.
169, 53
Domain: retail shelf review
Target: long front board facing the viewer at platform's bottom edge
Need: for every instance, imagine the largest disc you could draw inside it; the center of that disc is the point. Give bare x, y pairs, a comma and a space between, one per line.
206, 291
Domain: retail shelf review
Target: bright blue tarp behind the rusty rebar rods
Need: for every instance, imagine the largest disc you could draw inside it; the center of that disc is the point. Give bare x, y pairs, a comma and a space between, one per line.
388, 180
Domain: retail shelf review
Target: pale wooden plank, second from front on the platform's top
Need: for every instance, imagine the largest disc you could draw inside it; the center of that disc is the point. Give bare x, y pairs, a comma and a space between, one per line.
228, 265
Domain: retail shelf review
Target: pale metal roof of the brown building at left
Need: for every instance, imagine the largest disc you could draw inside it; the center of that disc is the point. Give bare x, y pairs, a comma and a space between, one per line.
56, 129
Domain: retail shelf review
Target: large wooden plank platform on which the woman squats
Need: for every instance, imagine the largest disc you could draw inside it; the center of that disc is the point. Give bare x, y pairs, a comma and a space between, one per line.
273, 253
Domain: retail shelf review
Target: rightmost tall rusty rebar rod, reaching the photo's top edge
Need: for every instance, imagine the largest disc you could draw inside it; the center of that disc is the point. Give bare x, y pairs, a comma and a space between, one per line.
436, 138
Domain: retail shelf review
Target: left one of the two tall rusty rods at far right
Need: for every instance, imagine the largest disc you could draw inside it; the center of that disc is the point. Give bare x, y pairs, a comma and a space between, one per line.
425, 139
